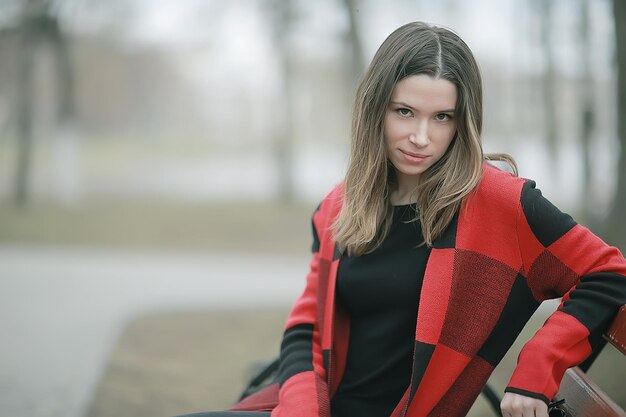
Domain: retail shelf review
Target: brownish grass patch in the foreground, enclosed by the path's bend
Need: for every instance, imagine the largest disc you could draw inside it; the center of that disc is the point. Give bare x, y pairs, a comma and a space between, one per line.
179, 362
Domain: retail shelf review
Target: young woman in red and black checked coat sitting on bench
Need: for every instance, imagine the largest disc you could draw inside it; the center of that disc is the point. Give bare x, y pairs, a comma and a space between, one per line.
428, 260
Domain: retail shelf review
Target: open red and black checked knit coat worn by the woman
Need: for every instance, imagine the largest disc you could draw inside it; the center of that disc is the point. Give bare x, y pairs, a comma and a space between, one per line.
505, 252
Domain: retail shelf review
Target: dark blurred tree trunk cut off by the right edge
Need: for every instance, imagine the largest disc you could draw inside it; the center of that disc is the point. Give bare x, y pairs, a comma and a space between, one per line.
615, 227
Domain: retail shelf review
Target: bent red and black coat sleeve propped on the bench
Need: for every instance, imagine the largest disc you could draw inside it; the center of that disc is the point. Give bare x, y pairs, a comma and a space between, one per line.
563, 259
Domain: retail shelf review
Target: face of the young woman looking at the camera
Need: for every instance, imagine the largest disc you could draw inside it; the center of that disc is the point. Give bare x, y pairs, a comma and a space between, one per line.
419, 125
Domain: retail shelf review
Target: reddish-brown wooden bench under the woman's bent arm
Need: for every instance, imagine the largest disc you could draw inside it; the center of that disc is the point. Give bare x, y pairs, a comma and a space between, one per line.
582, 397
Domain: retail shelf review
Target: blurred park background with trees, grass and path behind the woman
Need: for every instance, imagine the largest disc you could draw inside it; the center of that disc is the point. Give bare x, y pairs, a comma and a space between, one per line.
159, 162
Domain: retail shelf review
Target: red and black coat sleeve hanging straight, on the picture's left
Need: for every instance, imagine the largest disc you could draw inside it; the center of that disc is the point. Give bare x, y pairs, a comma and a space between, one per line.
302, 378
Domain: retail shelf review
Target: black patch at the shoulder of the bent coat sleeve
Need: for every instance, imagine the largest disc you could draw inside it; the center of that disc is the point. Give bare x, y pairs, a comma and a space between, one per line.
546, 221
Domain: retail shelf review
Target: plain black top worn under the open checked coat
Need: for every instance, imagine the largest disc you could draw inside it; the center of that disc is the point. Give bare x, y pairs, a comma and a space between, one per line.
380, 291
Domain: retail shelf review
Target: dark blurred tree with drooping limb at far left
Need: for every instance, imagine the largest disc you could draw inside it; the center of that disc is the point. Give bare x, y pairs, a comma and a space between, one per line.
38, 24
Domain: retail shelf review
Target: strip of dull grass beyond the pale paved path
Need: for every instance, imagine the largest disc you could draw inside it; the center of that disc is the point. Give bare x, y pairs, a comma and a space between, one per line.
259, 227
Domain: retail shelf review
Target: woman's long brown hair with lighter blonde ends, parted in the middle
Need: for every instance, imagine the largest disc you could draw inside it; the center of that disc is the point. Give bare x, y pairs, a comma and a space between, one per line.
415, 48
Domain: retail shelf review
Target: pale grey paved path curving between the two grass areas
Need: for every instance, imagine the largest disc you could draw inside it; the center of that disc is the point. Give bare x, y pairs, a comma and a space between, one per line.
61, 310
